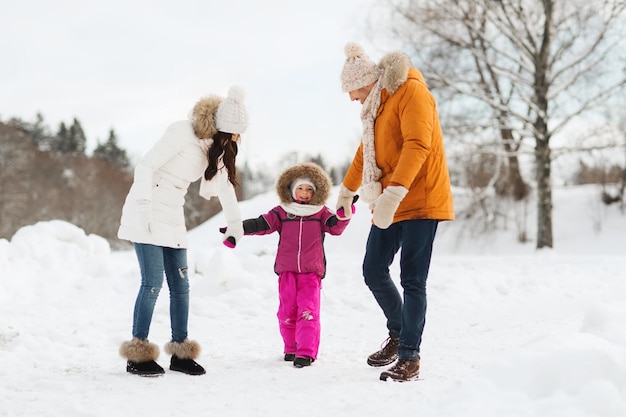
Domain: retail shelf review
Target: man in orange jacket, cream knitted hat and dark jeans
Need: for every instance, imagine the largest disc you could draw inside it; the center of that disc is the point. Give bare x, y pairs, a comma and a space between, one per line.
400, 167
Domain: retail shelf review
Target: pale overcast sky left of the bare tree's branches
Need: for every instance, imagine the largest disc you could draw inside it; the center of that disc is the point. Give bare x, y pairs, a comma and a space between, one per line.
138, 65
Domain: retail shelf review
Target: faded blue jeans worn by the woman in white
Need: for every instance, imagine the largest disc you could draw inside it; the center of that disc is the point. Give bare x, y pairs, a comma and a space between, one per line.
153, 261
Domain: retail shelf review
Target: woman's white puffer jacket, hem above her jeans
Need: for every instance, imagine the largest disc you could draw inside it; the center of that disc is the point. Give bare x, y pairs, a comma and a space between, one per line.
162, 178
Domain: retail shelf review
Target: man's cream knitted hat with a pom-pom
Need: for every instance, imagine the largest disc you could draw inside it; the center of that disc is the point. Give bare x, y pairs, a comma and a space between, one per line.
359, 70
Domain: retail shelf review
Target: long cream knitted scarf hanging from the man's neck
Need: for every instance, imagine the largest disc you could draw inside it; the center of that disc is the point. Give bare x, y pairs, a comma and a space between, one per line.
371, 188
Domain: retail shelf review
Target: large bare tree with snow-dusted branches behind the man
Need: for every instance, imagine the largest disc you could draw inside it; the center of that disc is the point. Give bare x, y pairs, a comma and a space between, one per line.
533, 65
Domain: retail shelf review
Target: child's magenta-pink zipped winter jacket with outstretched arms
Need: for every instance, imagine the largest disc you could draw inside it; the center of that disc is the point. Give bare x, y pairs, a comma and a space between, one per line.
301, 243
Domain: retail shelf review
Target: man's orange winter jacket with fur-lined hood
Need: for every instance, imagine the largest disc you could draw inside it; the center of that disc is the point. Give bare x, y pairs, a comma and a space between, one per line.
409, 146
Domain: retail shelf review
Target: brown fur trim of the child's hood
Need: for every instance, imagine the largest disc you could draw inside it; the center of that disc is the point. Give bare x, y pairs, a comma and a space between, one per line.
310, 170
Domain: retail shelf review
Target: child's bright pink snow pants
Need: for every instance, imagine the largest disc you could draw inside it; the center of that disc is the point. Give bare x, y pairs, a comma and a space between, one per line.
299, 312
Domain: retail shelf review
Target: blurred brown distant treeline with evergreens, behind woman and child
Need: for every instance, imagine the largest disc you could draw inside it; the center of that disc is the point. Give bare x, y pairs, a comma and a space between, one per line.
47, 175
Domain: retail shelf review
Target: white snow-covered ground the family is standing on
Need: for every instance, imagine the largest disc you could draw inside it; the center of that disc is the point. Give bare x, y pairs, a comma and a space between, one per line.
510, 331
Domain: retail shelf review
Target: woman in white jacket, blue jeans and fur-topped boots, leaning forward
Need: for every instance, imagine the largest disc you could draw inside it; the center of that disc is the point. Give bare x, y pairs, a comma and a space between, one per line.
205, 146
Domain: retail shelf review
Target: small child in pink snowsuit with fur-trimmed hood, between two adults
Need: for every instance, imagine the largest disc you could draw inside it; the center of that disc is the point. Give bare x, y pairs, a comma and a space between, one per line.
302, 220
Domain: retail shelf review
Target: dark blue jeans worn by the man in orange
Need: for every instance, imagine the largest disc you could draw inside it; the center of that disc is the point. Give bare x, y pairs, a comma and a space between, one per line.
405, 319
